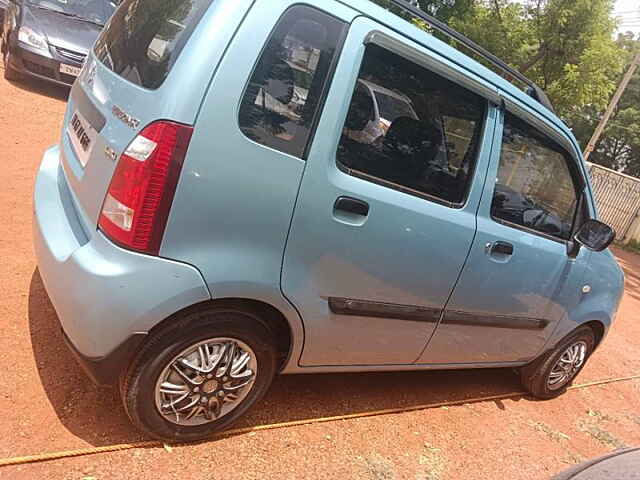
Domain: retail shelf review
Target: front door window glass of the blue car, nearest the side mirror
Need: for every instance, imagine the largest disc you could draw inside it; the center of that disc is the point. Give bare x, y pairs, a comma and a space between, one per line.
534, 188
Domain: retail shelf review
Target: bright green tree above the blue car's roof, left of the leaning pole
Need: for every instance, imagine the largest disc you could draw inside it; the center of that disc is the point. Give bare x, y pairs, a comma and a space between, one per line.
565, 46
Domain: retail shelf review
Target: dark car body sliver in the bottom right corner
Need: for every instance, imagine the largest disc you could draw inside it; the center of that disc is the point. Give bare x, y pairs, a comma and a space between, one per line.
623, 464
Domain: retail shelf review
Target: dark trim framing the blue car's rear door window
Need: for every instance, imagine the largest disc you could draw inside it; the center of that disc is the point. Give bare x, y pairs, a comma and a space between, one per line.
436, 67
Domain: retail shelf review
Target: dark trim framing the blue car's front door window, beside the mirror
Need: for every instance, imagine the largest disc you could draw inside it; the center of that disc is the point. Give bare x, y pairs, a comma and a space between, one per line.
578, 181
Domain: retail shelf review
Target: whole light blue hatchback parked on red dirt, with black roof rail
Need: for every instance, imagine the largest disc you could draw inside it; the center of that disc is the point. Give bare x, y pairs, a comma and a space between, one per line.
201, 226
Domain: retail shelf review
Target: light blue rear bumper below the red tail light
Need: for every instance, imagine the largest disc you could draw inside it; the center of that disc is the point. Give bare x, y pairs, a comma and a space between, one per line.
106, 298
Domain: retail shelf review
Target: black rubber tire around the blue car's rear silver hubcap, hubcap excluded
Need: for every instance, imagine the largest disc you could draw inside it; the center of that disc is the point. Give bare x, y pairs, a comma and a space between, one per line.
137, 385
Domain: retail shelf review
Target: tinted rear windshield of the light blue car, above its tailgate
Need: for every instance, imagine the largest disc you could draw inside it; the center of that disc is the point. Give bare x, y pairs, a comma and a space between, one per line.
145, 37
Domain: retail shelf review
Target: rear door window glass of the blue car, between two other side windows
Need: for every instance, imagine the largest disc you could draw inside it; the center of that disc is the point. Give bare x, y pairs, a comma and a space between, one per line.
411, 129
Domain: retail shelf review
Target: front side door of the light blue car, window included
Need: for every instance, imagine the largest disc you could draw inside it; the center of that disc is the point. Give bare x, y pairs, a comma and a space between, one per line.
520, 280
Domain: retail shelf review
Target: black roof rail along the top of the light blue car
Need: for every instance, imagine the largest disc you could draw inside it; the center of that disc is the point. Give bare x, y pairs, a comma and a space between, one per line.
532, 90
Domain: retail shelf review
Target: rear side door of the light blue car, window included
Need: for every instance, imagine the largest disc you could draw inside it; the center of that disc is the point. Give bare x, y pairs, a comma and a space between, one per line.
386, 214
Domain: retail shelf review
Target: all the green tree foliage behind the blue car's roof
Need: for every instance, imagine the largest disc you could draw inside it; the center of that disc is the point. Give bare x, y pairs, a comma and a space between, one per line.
567, 47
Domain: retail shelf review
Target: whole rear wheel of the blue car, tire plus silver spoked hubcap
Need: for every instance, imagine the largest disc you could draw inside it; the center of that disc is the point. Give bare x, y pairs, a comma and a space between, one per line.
199, 374
